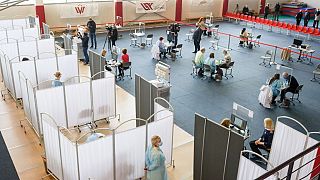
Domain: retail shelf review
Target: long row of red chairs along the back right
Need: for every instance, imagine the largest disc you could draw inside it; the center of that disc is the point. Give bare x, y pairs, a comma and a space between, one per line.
276, 24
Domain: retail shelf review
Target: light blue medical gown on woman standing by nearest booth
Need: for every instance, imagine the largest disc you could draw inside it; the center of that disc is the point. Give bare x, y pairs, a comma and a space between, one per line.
155, 162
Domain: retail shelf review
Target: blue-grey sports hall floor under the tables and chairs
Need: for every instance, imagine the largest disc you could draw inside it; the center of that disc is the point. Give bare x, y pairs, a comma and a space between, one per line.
214, 100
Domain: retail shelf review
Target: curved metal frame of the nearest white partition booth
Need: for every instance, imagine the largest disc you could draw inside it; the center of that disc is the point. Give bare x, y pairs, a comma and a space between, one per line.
113, 131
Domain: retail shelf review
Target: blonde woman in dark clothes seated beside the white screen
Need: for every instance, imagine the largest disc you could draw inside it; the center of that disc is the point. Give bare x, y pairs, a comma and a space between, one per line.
265, 141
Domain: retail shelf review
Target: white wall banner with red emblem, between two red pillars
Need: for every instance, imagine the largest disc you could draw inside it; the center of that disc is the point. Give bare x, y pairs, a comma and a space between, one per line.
150, 6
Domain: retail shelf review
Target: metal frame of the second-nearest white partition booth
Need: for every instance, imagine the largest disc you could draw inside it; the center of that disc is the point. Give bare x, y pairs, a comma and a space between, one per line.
69, 81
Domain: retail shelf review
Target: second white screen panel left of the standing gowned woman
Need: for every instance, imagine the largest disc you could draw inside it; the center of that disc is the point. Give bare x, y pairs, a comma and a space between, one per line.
95, 159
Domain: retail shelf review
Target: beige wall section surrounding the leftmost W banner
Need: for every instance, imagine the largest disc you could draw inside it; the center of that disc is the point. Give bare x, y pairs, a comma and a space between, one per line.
106, 14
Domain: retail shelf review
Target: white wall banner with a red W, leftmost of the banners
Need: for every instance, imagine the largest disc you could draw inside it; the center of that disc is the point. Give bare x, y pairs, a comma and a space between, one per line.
79, 10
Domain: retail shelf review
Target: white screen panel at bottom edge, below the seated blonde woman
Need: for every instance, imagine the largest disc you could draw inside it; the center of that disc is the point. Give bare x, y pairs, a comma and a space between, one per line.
249, 170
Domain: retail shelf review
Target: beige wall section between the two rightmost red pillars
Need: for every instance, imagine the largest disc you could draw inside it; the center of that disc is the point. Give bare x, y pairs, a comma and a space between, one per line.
192, 9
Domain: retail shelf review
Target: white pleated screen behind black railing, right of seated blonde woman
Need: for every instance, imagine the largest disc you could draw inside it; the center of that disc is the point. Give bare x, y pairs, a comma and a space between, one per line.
287, 142
